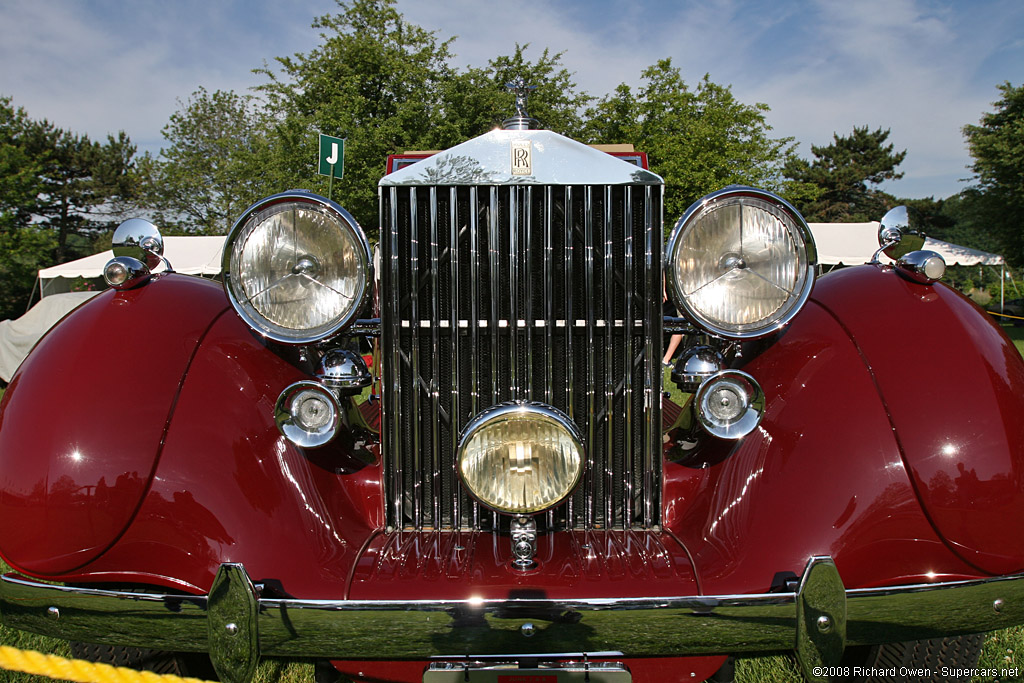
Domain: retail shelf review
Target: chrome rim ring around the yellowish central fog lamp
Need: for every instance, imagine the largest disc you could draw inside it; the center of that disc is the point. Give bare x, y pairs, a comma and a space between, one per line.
516, 410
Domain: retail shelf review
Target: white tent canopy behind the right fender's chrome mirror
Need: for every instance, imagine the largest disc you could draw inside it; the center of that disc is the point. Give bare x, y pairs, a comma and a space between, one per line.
852, 244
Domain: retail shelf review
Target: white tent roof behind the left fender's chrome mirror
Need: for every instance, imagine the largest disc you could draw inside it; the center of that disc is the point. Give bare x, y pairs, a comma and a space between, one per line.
190, 255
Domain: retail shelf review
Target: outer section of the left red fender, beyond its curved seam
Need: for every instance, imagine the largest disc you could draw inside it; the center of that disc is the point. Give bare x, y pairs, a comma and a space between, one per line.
84, 419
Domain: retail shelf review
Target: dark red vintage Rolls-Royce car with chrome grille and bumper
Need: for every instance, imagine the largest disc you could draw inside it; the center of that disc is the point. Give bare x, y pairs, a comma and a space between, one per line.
193, 474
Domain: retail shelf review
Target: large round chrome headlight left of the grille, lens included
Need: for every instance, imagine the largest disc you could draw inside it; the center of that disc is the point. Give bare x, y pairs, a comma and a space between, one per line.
296, 268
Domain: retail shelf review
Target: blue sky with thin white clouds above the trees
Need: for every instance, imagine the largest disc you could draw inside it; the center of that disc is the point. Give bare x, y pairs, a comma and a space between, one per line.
922, 68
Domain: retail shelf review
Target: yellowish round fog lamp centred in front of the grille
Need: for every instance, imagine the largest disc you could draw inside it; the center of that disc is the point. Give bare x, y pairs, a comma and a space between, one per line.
521, 458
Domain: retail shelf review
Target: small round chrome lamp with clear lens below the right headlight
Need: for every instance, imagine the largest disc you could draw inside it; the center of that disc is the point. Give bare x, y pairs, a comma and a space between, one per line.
730, 405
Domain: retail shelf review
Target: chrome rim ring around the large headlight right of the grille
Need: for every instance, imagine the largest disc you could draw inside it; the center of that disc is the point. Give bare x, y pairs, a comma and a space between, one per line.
806, 275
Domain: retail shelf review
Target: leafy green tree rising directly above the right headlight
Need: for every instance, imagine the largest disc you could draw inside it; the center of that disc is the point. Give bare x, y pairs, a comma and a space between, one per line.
699, 141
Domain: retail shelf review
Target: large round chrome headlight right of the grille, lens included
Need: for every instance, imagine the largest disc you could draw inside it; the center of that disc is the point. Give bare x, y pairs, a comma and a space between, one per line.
741, 263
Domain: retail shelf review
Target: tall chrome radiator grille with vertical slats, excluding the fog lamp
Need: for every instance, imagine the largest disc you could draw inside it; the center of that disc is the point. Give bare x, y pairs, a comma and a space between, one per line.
500, 293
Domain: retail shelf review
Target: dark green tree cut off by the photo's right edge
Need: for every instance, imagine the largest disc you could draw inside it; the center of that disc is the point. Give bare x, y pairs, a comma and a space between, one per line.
997, 145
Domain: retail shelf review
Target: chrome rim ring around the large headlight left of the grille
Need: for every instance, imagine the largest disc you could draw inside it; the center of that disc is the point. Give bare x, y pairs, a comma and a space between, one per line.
247, 313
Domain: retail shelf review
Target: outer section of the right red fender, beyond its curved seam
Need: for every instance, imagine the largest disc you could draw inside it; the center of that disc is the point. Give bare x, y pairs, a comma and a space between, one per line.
954, 388
